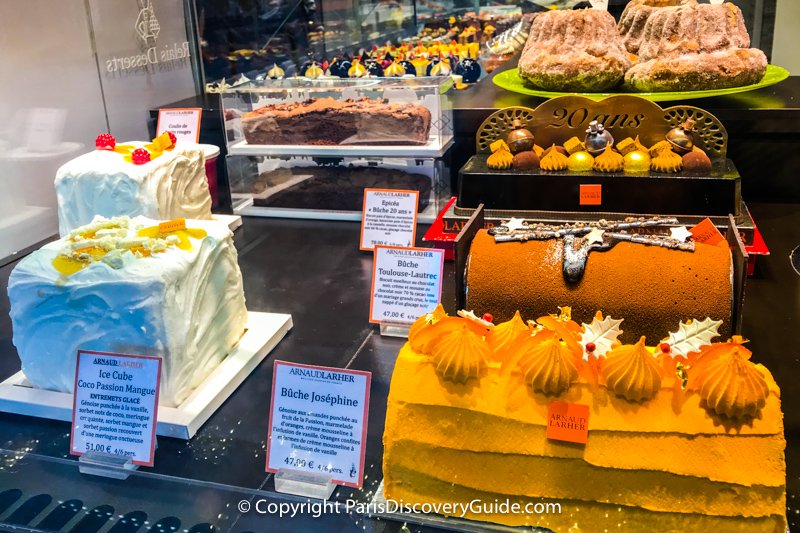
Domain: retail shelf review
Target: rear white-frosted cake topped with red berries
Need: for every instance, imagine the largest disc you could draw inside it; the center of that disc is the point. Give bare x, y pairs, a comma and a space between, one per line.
162, 180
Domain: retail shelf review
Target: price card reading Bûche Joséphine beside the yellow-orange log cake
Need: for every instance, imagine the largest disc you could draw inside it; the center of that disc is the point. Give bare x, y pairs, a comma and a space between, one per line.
318, 421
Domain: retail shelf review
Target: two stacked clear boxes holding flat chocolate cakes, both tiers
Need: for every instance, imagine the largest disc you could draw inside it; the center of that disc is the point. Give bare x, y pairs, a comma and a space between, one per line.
311, 146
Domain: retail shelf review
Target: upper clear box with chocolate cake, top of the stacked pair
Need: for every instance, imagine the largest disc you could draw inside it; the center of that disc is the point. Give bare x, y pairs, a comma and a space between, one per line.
373, 116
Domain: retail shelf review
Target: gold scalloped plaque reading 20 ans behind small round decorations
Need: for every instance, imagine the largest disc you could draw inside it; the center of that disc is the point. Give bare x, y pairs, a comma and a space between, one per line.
558, 119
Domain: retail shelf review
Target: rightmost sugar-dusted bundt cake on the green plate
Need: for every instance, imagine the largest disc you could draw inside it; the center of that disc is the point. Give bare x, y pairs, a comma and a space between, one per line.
696, 46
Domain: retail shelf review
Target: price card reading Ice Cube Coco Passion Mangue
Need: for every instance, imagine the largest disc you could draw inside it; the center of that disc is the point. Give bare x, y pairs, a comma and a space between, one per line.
115, 405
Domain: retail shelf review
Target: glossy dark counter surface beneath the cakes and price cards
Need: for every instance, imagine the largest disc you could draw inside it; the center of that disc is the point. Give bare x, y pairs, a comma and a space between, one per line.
314, 271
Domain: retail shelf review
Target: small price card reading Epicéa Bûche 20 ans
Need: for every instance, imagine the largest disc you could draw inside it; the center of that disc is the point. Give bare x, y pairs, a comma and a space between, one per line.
389, 218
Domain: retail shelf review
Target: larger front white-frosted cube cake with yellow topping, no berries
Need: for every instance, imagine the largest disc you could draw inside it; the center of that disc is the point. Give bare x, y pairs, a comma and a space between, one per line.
132, 286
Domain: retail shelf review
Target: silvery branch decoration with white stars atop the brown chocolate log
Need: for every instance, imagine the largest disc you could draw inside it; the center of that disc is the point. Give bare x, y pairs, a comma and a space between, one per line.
582, 238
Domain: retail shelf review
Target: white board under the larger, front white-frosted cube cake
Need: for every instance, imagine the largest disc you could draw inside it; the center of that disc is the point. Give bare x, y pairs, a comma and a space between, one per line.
264, 331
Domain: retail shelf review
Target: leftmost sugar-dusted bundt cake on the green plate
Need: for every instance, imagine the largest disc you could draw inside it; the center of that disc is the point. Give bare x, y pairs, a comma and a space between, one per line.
574, 50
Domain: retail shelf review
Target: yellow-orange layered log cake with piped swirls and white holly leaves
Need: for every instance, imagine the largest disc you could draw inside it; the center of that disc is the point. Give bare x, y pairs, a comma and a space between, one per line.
467, 417
